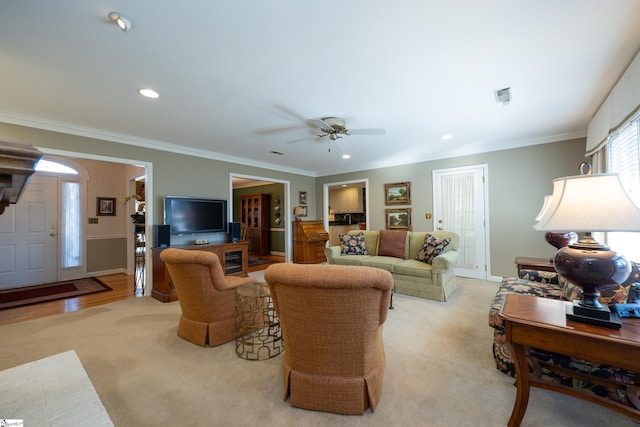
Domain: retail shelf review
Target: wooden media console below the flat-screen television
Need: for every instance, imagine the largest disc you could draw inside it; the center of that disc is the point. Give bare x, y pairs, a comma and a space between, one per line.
234, 258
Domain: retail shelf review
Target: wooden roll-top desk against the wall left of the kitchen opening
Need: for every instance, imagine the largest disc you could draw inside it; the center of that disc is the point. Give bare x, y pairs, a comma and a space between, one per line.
309, 241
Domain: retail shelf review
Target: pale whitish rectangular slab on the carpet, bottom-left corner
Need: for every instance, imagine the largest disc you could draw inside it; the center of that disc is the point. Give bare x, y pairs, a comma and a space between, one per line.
53, 391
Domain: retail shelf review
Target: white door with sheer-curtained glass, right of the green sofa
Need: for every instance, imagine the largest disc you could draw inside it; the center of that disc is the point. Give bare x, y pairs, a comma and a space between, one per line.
460, 205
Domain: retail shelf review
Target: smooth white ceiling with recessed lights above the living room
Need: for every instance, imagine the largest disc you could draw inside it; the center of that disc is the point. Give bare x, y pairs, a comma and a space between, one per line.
239, 79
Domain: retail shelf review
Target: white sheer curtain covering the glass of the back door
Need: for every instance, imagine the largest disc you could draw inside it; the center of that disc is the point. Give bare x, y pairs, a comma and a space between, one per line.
458, 210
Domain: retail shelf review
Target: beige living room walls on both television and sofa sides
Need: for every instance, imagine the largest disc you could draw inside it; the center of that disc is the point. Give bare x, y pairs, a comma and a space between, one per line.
518, 180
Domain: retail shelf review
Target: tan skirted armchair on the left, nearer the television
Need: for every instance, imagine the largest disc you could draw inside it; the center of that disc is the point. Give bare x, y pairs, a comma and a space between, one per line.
206, 295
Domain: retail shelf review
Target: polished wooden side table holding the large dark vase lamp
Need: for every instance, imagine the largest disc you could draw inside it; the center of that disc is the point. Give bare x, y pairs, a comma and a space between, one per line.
542, 323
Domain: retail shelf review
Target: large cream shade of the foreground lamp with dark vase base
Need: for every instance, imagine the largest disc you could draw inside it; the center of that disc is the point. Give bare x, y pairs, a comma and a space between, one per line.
589, 203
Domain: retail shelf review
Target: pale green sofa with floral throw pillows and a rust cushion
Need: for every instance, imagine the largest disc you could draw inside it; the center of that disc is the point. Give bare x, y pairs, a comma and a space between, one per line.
421, 263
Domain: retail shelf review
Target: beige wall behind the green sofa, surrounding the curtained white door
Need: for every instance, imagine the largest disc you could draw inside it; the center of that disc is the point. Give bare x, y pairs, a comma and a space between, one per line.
518, 180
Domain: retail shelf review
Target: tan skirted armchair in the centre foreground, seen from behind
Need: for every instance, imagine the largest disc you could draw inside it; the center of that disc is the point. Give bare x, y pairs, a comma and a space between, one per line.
331, 318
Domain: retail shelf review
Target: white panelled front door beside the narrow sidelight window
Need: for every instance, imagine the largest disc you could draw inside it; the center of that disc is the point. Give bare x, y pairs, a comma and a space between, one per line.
29, 236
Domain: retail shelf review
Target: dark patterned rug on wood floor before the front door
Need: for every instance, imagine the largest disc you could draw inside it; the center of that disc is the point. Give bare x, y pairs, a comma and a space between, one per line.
17, 297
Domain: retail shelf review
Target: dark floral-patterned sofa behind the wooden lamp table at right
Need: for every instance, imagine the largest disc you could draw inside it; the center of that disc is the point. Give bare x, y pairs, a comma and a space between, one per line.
557, 368
